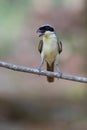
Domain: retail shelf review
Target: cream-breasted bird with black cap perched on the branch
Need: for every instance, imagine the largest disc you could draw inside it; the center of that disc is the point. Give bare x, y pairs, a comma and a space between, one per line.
49, 47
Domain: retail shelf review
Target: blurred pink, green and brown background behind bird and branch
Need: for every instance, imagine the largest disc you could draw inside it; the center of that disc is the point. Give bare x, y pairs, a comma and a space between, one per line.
28, 101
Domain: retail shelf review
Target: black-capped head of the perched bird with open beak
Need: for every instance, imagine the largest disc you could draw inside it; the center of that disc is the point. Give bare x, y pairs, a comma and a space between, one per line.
45, 30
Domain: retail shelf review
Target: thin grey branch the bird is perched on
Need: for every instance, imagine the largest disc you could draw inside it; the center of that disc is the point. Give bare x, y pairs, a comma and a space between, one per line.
44, 73
